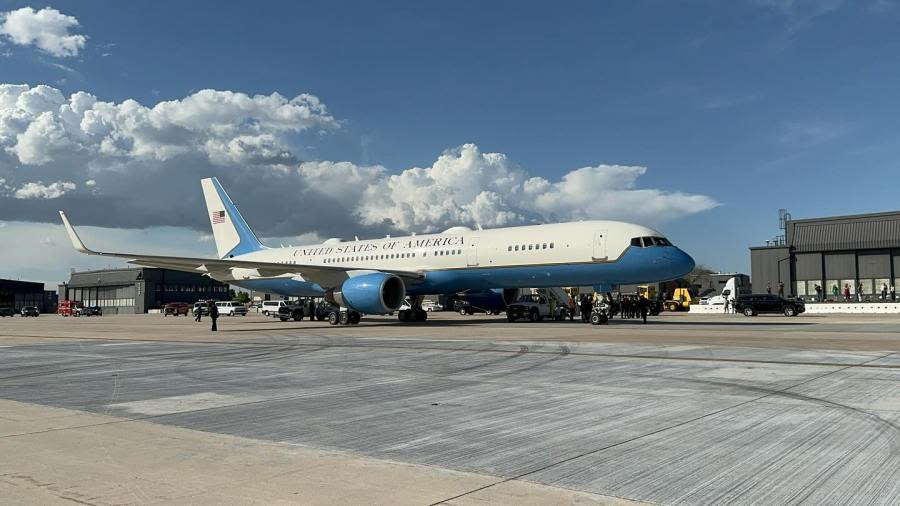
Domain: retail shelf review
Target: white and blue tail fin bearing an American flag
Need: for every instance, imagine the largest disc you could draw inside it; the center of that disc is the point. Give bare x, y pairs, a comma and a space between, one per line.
232, 234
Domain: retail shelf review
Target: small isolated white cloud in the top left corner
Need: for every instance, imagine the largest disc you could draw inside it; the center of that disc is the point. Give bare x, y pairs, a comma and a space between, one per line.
47, 29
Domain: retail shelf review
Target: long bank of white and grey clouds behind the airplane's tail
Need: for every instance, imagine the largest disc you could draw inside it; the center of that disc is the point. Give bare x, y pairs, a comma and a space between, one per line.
128, 165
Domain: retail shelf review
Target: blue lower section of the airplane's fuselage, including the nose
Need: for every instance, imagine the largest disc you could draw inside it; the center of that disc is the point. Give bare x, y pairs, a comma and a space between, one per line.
637, 265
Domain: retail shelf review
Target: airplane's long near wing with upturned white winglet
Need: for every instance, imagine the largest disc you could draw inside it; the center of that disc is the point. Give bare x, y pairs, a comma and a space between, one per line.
325, 275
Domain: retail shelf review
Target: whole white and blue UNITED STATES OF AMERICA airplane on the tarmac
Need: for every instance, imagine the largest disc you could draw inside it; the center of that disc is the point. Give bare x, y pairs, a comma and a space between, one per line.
375, 276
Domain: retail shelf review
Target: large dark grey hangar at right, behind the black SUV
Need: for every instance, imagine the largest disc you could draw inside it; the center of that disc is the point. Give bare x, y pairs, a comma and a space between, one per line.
855, 250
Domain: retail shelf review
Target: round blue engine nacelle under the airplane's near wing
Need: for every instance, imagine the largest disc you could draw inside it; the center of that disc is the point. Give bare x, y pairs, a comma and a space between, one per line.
376, 293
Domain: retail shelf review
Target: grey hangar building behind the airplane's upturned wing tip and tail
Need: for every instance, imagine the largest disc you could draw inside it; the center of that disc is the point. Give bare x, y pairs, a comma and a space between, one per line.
137, 290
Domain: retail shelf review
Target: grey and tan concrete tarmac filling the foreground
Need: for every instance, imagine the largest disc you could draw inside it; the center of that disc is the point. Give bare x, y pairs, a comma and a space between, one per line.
458, 410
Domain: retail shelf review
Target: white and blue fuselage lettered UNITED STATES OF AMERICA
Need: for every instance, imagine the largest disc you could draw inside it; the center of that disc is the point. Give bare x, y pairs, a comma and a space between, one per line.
587, 253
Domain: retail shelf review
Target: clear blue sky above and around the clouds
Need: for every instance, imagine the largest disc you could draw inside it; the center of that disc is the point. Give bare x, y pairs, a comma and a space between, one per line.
757, 105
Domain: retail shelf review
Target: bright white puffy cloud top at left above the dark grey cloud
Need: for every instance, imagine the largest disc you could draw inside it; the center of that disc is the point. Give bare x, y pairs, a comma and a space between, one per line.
38, 124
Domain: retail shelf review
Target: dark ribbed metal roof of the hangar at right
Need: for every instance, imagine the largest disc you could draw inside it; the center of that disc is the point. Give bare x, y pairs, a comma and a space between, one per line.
865, 231
